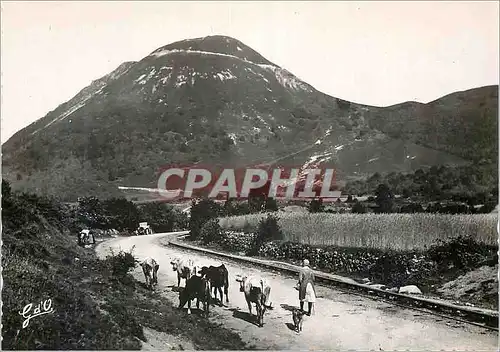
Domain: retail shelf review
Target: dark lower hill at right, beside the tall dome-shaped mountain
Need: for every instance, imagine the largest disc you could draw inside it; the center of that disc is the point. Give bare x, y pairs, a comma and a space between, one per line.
463, 123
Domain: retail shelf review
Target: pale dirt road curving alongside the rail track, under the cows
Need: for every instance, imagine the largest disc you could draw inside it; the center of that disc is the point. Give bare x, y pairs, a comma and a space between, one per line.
341, 321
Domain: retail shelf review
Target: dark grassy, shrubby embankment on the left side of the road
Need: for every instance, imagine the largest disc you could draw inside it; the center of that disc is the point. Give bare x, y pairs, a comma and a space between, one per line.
98, 305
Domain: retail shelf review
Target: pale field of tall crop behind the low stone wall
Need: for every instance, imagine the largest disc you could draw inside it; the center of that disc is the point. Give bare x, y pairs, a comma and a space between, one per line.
380, 231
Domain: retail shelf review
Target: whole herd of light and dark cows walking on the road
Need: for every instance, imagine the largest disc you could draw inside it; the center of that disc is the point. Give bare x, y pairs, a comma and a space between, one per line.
199, 282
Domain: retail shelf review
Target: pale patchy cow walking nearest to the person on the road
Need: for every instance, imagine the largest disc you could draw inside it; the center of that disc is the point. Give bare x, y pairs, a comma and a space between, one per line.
258, 291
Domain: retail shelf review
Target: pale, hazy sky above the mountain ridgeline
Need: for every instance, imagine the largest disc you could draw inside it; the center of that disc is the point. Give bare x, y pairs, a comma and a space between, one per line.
377, 53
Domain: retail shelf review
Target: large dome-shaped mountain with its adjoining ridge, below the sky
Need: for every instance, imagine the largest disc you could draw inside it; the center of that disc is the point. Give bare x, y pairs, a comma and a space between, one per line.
214, 100
